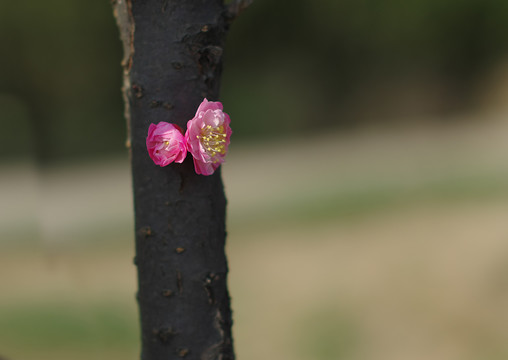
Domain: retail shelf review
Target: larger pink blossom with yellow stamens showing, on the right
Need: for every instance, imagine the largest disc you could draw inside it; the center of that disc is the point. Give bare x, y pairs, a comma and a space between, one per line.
207, 137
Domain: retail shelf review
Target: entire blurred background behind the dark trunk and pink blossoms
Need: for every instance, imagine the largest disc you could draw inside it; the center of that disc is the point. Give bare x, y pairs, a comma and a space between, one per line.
367, 181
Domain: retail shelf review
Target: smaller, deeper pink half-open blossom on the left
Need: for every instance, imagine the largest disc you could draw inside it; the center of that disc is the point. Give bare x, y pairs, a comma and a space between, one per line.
166, 143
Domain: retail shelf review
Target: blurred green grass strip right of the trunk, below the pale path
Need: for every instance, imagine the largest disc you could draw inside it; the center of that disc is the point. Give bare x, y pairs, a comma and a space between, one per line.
342, 205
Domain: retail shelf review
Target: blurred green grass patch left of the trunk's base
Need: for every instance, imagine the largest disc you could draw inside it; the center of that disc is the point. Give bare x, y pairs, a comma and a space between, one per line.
45, 326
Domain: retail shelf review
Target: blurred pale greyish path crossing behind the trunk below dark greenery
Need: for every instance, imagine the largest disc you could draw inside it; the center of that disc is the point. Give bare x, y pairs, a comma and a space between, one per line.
65, 203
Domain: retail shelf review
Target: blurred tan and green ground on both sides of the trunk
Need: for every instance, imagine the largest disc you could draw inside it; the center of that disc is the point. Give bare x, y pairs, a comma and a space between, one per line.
382, 244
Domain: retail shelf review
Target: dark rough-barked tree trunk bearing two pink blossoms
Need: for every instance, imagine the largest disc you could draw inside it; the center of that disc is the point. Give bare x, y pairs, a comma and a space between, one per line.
173, 56
